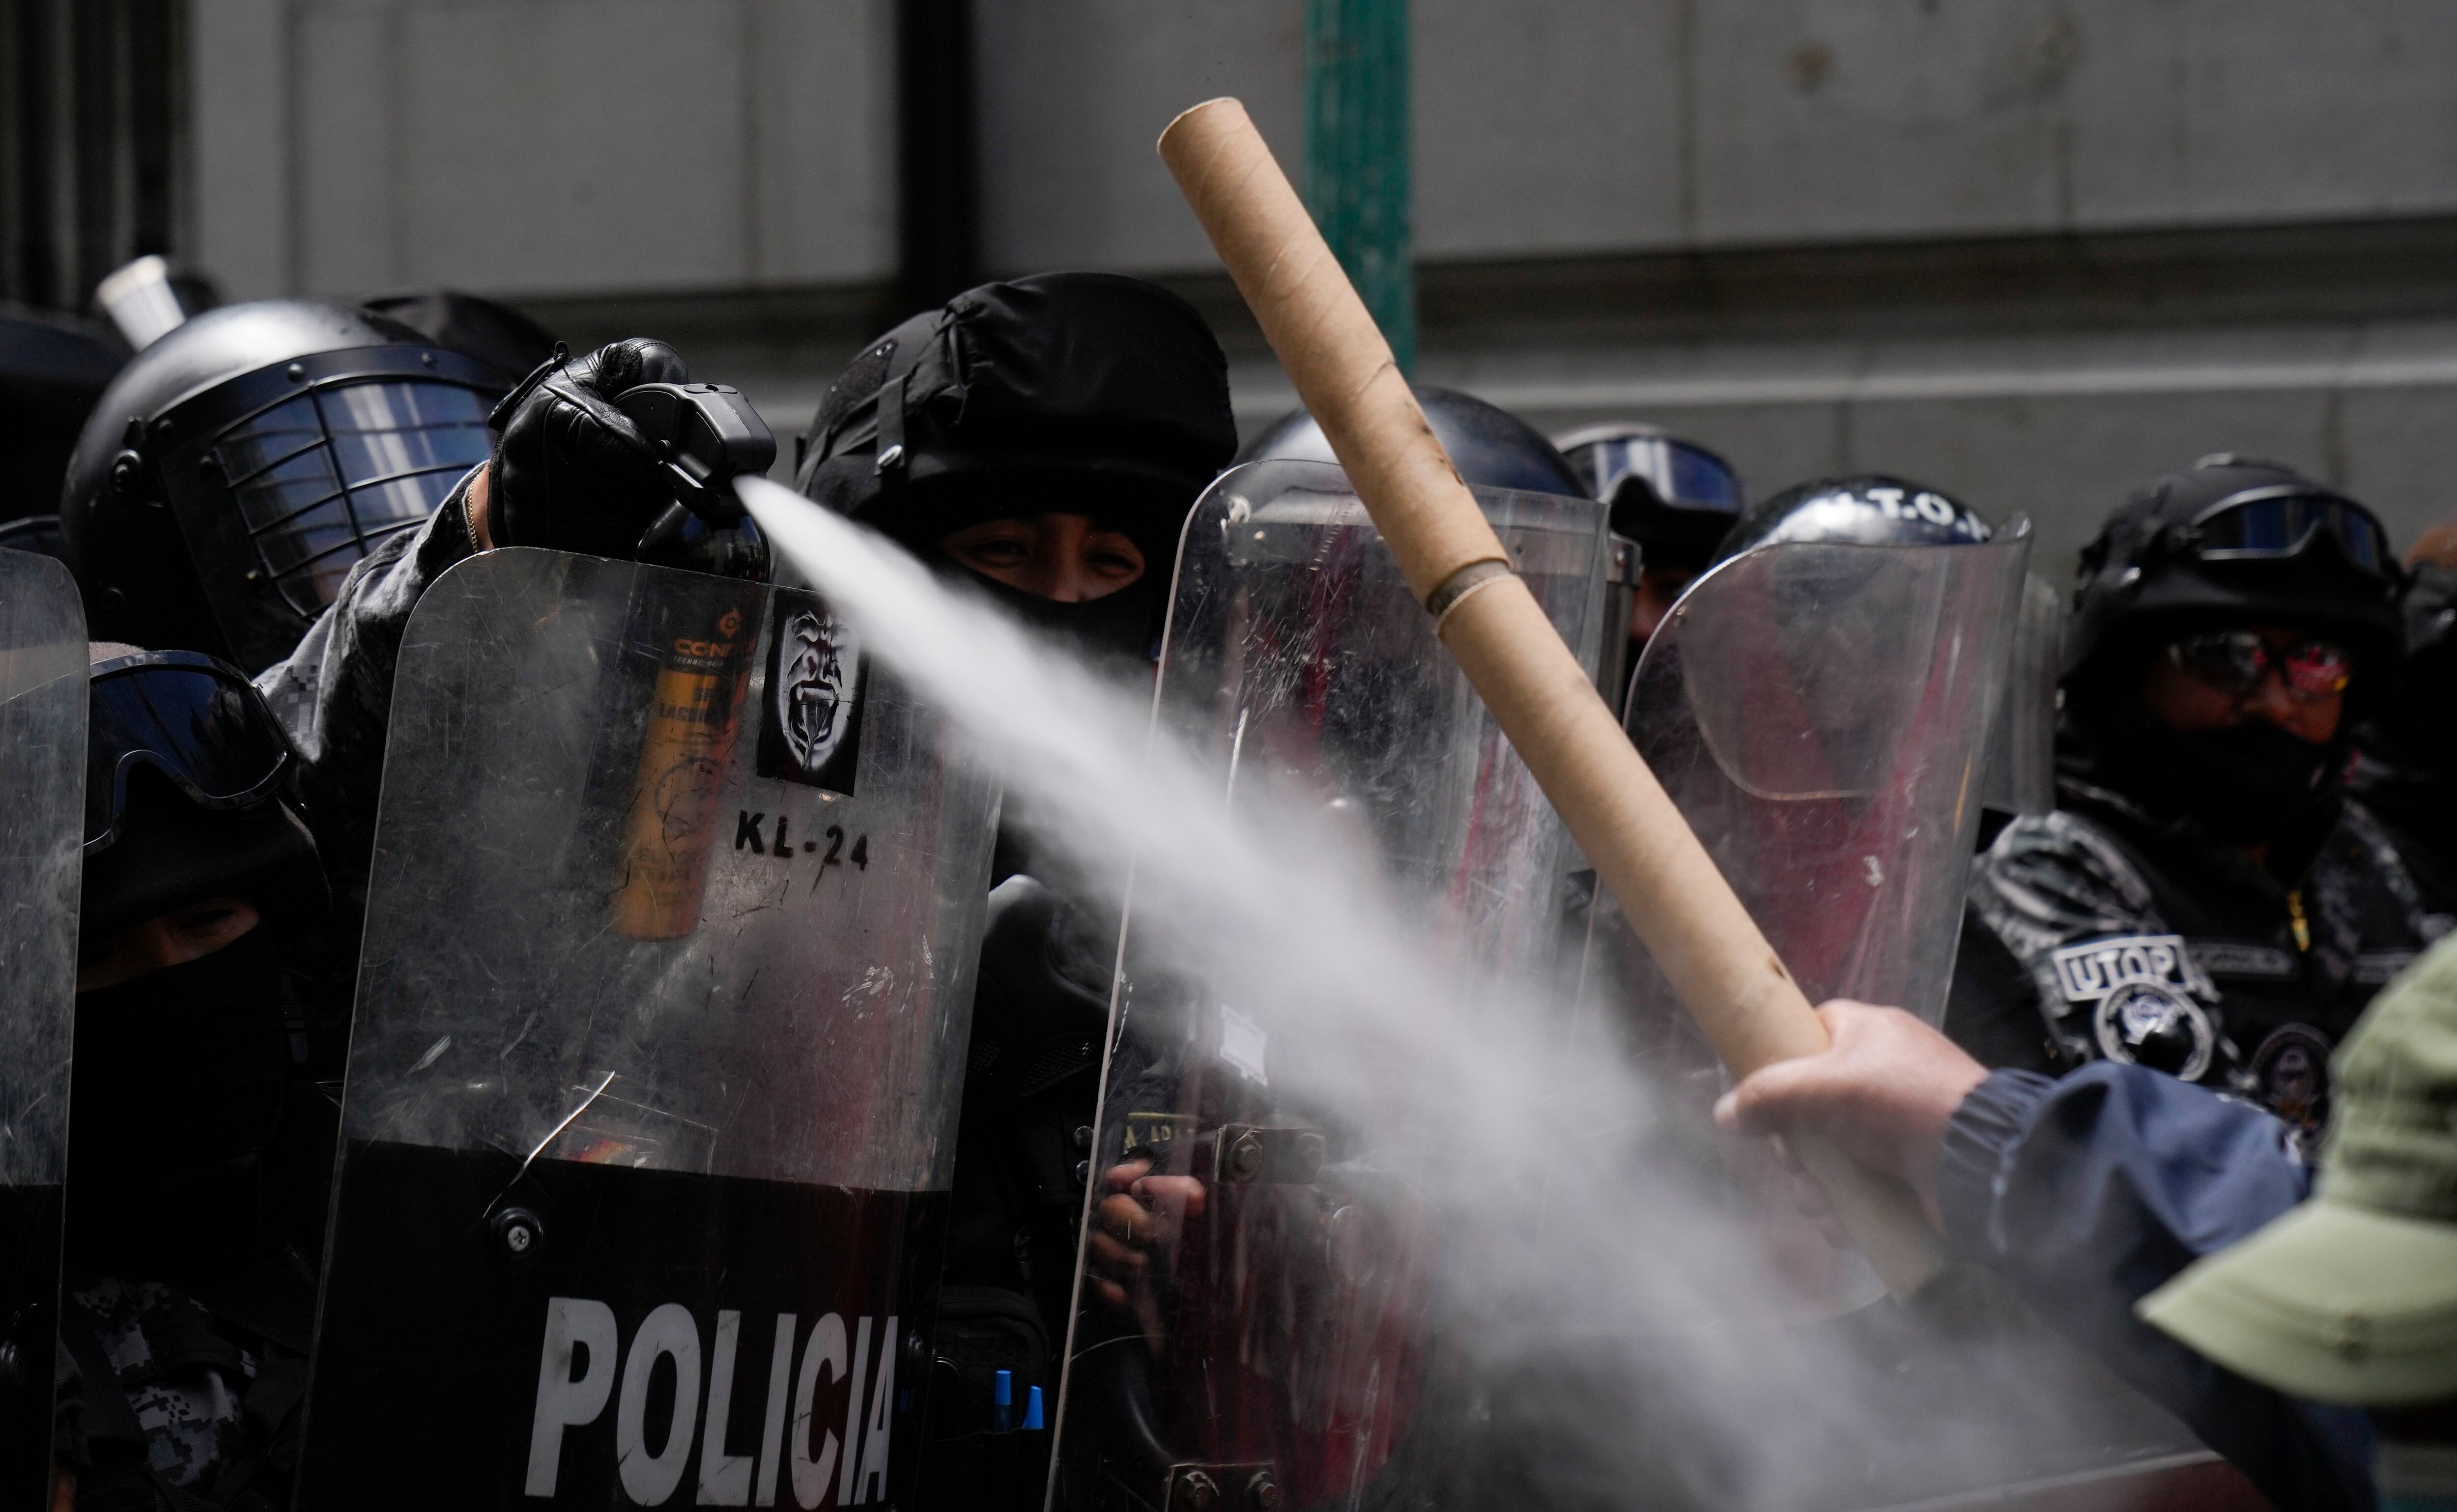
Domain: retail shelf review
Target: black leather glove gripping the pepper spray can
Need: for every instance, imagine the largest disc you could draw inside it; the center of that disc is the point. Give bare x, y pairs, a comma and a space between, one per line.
571, 471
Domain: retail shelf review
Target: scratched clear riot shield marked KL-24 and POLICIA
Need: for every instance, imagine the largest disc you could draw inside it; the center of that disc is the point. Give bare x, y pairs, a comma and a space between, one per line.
657, 1056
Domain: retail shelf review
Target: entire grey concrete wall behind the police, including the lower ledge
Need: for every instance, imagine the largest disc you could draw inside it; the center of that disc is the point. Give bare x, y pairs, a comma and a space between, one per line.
721, 171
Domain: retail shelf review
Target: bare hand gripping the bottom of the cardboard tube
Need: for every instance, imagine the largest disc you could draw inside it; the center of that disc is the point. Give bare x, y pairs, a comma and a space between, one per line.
1883, 1093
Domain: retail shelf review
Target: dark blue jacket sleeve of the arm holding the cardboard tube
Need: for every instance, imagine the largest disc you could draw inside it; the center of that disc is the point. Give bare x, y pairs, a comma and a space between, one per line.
2090, 1194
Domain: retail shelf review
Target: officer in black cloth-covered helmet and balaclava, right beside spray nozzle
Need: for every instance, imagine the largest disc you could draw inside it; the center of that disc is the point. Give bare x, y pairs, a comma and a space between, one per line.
1043, 444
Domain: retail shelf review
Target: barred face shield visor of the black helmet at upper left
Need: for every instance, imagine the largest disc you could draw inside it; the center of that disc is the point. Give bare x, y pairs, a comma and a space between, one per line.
328, 476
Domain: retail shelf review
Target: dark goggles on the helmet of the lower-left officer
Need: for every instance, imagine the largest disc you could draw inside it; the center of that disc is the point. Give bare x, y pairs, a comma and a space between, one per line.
193, 719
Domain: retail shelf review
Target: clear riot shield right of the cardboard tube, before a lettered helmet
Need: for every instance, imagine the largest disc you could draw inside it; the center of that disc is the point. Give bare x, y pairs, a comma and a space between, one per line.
1822, 719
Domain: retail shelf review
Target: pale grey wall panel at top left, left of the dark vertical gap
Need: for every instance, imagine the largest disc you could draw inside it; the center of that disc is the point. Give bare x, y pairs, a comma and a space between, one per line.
544, 146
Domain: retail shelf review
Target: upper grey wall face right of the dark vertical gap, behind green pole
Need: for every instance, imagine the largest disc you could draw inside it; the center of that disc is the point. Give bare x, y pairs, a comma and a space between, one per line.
1579, 127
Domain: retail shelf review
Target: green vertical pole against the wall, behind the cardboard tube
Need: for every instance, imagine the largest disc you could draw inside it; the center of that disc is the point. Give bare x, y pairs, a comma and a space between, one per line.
1357, 154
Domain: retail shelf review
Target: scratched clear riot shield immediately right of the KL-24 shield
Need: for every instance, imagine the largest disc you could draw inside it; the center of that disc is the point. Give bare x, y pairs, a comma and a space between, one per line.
1274, 1351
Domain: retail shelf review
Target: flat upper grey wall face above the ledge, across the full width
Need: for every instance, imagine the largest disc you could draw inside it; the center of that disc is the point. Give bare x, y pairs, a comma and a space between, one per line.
586, 146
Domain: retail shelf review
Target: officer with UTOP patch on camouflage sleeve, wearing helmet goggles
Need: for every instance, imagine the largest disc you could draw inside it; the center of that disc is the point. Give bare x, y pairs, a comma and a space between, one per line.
2205, 901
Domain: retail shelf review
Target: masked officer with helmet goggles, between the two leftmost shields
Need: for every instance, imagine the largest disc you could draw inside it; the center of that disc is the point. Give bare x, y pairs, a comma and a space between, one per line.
198, 1149
